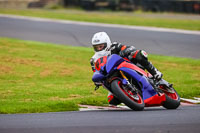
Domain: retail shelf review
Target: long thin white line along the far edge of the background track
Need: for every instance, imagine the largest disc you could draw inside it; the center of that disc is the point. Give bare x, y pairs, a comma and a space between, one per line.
103, 25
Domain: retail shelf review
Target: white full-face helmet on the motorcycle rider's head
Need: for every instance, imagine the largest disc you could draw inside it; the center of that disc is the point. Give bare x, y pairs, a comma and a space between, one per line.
101, 42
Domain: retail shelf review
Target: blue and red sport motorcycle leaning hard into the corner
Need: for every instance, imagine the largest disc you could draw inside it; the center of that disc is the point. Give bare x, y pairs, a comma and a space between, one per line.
132, 85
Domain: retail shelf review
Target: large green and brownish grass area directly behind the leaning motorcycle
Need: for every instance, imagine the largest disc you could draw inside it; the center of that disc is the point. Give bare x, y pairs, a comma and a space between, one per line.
42, 77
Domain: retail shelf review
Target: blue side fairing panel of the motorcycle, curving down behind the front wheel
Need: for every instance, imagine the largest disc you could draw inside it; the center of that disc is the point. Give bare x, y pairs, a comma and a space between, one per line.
147, 88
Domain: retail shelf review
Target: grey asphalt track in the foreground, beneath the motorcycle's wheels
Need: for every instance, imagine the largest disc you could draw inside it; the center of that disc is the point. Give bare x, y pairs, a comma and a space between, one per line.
185, 119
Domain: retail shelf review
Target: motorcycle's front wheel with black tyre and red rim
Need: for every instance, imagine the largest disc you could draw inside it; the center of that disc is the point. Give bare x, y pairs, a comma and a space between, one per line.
133, 101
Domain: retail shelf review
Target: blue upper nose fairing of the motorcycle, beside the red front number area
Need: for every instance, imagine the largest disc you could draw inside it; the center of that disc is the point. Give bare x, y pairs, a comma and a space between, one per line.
113, 61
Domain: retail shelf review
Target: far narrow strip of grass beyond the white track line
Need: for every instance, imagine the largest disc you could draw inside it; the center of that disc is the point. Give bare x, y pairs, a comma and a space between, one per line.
166, 20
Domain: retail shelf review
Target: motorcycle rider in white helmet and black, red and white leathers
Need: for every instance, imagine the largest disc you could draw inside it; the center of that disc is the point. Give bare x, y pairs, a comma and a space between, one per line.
103, 47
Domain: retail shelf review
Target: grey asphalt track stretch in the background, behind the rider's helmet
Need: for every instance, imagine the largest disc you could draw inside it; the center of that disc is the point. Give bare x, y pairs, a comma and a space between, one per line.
79, 34
